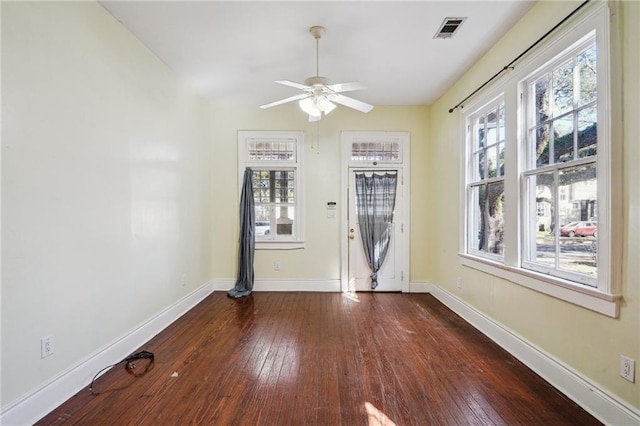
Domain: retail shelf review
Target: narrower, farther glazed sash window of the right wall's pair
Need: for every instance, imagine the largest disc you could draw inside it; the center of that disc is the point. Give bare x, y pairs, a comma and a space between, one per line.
485, 188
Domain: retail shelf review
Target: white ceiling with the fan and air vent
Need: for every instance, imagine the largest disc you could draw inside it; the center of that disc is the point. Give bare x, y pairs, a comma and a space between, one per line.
232, 52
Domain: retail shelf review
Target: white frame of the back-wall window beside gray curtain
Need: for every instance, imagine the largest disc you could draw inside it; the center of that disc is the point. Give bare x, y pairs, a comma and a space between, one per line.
273, 242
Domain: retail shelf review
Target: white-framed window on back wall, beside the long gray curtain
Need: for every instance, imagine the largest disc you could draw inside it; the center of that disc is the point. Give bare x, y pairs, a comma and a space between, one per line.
275, 158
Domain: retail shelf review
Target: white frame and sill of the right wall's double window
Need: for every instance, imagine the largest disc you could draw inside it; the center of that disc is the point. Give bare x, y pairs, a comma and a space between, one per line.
604, 297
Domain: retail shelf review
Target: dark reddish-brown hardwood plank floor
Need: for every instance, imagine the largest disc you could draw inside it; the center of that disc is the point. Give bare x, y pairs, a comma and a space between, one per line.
317, 359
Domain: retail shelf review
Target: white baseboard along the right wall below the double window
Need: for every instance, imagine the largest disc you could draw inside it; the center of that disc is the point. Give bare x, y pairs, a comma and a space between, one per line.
589, 396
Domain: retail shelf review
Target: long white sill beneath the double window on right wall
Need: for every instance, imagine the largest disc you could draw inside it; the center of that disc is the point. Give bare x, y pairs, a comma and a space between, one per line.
590, 298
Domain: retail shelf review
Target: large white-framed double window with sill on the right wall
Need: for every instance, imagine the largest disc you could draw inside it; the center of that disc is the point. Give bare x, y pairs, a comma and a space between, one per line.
537, 170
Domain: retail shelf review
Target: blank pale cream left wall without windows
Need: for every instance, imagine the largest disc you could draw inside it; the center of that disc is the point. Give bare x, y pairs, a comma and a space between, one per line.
105, 188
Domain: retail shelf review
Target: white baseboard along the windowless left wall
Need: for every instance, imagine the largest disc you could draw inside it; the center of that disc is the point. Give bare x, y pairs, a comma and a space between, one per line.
49, 396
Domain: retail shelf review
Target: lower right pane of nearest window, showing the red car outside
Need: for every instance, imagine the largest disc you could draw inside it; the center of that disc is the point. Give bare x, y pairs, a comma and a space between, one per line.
578, 219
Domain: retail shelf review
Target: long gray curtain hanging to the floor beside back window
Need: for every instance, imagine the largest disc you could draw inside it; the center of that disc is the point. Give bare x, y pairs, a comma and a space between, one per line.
247, 241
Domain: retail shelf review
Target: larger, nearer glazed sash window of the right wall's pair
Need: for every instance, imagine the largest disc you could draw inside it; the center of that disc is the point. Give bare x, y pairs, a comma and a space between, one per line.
560, 171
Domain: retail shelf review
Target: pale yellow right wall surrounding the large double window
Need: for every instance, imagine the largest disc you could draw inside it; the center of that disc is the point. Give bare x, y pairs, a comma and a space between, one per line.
587, 342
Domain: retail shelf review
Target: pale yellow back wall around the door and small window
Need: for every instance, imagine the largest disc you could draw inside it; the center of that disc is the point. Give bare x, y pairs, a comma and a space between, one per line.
320, 260
